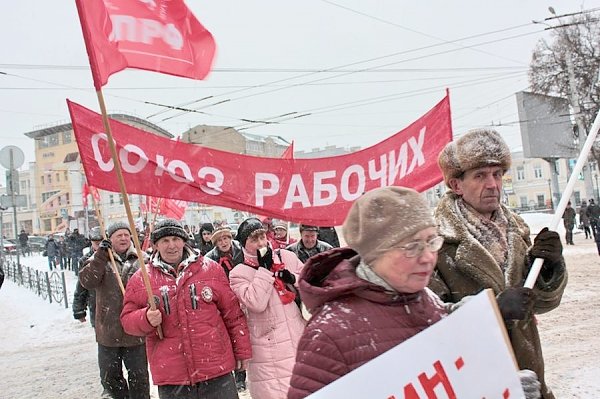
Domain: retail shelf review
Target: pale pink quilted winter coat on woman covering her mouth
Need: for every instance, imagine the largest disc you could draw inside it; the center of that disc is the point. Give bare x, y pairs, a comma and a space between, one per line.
275, 328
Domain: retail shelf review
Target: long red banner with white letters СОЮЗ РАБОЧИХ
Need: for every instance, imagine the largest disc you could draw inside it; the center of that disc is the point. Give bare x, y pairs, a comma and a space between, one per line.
313, 191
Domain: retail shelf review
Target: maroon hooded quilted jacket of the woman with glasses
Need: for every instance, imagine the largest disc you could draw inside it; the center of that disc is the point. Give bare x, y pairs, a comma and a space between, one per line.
353, 320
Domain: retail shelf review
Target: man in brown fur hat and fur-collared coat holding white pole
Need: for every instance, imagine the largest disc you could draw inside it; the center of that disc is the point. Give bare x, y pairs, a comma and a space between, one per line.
488, 246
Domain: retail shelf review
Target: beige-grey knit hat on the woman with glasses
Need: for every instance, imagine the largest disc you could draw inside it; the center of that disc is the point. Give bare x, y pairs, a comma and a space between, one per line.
384, 217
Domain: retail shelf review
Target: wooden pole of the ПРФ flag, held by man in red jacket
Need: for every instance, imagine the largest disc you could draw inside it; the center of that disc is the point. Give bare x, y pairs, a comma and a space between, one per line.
136, 241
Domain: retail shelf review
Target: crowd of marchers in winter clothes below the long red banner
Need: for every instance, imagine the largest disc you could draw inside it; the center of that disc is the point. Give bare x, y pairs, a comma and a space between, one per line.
214, 311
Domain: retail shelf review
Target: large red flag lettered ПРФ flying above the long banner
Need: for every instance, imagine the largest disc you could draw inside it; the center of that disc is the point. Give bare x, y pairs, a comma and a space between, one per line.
155, 35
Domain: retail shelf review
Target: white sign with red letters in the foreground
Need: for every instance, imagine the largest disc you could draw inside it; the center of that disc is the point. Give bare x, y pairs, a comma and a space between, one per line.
465, 355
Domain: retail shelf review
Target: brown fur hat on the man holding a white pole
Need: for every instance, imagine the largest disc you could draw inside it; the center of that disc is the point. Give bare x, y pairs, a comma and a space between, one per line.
478, 148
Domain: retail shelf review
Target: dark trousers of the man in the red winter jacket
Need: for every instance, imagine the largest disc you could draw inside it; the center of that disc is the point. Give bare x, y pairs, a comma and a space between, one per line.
217, 388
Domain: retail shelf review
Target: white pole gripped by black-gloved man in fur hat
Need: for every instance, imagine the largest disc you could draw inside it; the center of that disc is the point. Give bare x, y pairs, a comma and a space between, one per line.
536, 267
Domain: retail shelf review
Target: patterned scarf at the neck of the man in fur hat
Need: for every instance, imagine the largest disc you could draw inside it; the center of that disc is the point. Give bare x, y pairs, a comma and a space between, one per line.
491, 233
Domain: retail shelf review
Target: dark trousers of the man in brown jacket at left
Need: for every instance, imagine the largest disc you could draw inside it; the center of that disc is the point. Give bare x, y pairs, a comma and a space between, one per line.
111, 362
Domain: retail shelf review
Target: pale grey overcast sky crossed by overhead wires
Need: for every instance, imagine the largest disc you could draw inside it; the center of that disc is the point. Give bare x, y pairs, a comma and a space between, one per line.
391, 62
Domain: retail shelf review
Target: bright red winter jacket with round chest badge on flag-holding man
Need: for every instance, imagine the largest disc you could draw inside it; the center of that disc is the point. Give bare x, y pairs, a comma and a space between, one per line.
203, 334
